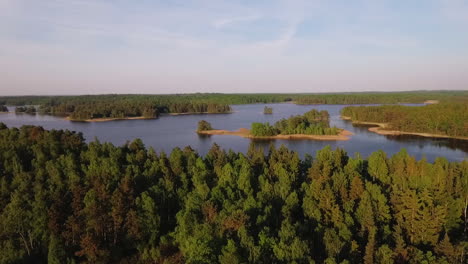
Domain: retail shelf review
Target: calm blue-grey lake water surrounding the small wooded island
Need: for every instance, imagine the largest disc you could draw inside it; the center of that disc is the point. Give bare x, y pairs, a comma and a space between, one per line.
168, 132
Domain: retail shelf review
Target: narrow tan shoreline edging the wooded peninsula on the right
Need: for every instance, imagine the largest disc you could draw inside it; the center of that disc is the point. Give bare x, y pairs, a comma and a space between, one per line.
379, 128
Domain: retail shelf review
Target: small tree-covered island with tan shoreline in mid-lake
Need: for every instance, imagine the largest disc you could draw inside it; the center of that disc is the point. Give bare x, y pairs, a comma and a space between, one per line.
312, 125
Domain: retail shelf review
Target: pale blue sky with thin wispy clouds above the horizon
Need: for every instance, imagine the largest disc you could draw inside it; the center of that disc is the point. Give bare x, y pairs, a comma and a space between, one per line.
55, 47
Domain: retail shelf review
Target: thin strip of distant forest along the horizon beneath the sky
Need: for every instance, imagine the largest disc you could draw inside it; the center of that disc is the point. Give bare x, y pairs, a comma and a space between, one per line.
229, 99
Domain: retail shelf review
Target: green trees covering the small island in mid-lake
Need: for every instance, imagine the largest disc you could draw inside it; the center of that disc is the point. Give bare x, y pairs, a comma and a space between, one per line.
312, 122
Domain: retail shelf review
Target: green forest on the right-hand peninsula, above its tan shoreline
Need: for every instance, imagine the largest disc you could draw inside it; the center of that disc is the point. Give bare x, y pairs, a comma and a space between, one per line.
447, 118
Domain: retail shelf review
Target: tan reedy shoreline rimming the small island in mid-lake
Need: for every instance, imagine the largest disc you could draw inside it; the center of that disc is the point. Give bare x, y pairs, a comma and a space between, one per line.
244, 132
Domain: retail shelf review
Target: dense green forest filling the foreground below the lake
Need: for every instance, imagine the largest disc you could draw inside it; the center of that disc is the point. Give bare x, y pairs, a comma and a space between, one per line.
65, 201
